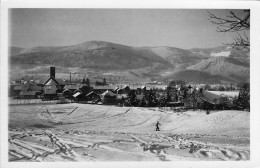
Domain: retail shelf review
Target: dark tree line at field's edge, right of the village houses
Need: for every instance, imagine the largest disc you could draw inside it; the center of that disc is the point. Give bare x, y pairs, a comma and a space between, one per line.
171, 97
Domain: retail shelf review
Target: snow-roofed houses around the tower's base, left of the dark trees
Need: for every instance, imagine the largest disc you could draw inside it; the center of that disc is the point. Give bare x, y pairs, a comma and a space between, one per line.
52, 86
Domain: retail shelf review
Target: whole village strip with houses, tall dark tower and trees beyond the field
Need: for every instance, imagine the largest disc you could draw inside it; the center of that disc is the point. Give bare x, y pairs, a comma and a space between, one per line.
176, 94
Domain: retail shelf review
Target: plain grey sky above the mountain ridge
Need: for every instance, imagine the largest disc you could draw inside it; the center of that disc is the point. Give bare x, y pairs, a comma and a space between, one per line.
134, 27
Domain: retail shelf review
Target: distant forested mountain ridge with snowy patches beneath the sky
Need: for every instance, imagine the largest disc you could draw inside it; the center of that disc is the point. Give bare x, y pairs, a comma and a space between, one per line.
210, 64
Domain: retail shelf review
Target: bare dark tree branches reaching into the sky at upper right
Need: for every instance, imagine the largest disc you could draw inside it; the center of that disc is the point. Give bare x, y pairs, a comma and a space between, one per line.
234, 23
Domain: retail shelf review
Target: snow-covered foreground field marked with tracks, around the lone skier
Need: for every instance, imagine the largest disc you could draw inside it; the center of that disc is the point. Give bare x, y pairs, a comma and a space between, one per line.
83, 132
